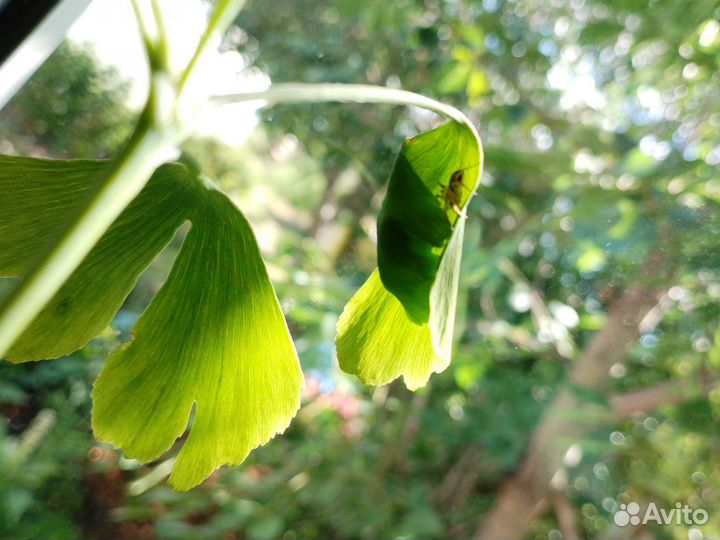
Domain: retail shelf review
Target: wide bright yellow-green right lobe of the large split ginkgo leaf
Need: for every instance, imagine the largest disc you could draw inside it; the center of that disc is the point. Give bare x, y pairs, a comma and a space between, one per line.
214, 337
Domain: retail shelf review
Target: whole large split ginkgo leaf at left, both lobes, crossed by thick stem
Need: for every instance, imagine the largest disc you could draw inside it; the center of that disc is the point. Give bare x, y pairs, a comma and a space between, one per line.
213, 338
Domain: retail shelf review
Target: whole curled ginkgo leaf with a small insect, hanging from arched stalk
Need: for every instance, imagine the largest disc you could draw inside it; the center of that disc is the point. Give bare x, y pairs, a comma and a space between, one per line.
401, 322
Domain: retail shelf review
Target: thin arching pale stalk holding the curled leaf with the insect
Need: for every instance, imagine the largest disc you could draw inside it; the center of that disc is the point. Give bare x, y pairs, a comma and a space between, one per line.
347, 93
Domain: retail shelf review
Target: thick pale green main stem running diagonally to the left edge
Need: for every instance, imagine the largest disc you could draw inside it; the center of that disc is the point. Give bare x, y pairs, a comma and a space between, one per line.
148, 148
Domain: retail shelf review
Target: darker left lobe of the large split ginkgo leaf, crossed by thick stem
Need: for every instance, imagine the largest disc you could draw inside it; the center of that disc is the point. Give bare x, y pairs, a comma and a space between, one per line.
40, 193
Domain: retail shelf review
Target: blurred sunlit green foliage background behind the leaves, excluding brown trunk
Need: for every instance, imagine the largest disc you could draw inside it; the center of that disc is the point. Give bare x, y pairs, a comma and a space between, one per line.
580, 189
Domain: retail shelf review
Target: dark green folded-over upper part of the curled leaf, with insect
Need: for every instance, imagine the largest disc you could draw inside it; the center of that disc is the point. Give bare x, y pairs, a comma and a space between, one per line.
432, 181
